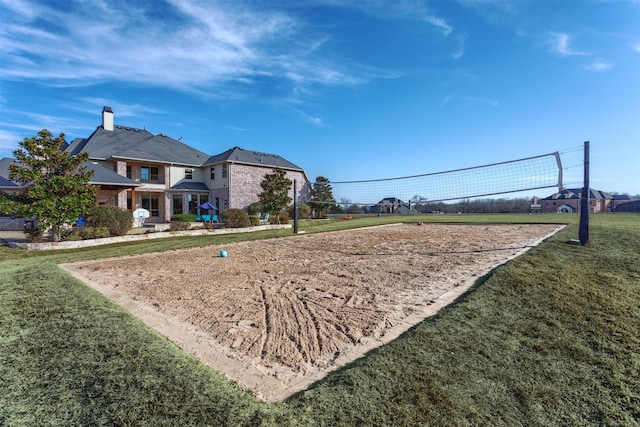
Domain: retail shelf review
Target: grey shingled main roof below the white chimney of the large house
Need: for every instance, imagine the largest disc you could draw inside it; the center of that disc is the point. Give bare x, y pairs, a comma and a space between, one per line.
137, 144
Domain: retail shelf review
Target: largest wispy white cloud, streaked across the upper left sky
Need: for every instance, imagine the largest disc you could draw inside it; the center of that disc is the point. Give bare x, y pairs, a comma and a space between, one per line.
183, 45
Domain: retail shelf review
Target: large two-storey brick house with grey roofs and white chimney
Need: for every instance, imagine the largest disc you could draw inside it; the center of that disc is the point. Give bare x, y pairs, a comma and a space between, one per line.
137, 169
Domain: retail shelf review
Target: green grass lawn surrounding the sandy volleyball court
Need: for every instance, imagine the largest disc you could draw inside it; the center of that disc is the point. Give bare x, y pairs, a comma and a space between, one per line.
550, 338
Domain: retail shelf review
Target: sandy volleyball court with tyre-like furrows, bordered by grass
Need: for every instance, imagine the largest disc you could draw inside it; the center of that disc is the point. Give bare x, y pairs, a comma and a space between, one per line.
277, 315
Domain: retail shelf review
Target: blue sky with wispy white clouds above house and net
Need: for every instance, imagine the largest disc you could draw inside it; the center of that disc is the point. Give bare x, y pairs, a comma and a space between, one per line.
350, 90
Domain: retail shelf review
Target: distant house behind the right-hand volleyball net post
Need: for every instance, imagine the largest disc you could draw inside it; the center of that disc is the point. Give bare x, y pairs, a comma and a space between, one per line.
568, 201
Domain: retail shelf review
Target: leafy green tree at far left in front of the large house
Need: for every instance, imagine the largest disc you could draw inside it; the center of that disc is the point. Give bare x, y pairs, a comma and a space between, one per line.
58, 188
